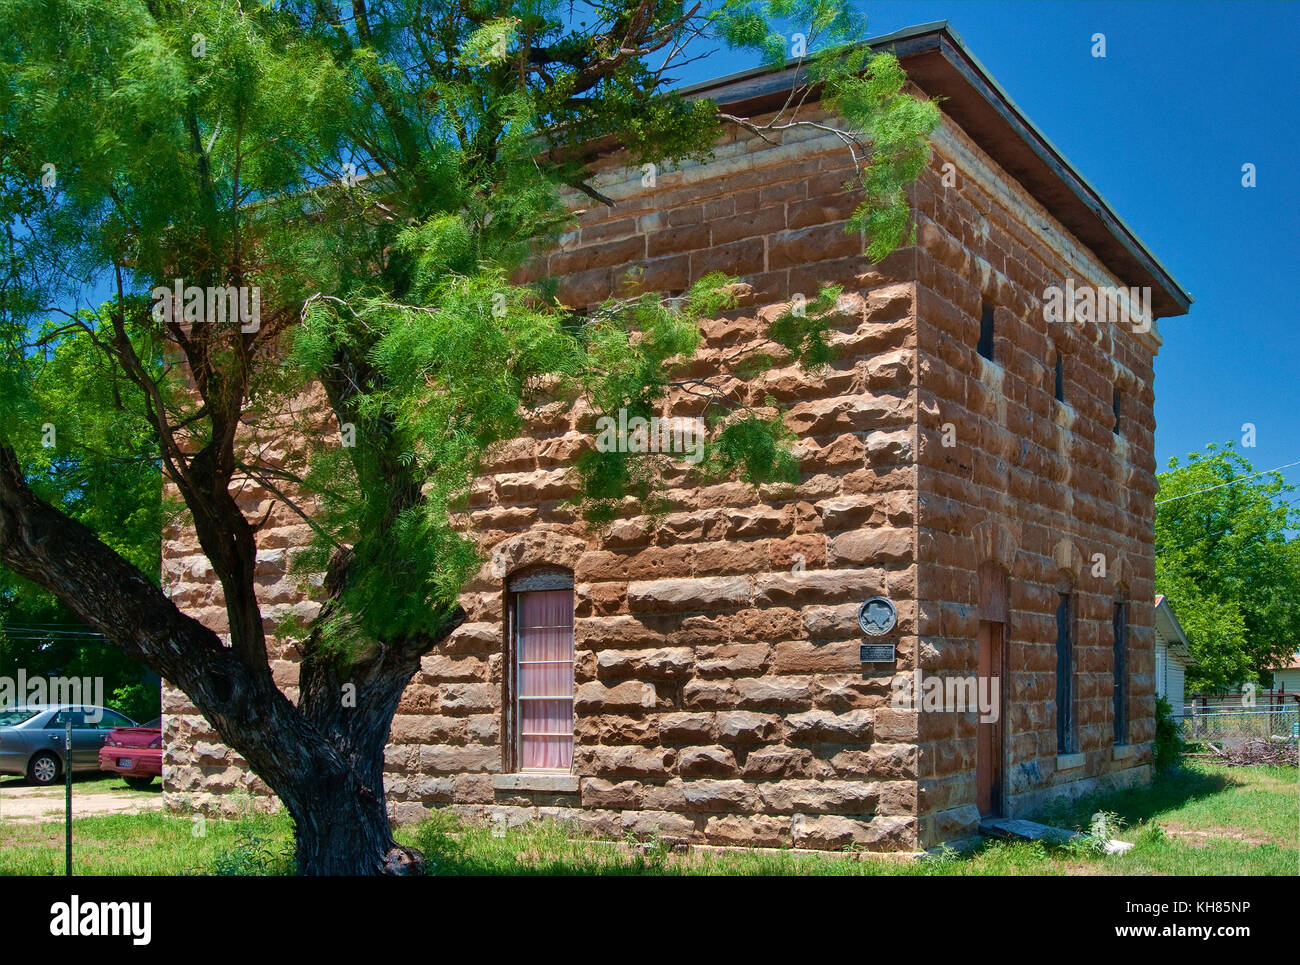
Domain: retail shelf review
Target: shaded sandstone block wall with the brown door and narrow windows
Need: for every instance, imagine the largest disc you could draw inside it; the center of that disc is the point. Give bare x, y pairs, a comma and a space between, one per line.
1043, 488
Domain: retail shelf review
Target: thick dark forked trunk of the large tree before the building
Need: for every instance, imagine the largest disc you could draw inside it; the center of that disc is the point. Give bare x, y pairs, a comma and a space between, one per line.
324, 760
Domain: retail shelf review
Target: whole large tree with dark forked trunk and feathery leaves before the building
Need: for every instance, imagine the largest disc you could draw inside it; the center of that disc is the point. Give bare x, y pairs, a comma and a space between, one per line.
362, 181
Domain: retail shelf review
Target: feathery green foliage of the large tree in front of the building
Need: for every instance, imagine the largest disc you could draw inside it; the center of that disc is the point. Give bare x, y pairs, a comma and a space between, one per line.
382, 174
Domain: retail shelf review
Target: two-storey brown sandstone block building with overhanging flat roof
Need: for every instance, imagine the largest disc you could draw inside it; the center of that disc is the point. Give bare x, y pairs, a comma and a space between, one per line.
986, 471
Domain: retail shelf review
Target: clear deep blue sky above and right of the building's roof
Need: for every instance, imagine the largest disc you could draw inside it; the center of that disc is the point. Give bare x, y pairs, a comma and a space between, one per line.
1162, 127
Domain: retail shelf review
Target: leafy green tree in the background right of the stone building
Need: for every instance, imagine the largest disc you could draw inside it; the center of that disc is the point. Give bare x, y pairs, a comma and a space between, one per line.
1227, 564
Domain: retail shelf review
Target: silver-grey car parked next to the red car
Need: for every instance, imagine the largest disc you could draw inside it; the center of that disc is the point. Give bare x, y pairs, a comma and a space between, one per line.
32, 739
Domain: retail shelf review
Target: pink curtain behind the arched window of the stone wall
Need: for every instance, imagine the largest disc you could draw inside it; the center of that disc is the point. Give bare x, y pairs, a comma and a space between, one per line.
545, 634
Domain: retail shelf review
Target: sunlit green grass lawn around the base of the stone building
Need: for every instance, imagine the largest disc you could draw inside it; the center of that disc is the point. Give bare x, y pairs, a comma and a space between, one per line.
1198, 821
